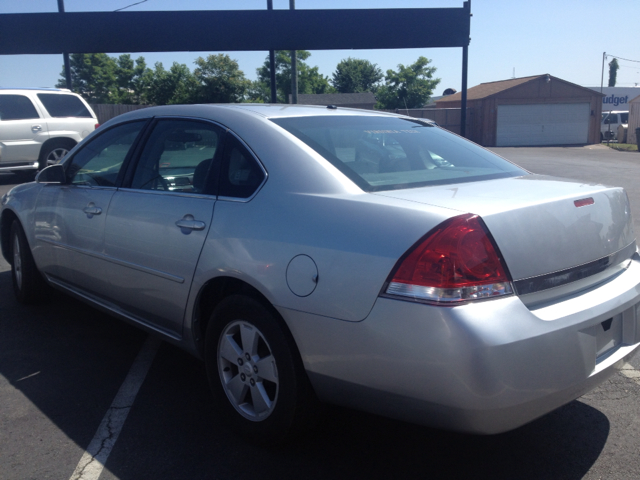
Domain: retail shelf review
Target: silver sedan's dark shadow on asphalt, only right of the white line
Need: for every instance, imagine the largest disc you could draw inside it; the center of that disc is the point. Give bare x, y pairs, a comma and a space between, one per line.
175, 433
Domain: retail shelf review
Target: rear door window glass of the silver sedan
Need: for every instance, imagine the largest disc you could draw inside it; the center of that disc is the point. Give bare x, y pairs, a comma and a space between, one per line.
179, 157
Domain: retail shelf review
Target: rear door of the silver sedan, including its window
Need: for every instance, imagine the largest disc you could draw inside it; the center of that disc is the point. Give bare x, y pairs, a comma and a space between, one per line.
156, 227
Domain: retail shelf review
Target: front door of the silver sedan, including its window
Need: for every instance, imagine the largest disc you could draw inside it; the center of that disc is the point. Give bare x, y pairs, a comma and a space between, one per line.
70, 218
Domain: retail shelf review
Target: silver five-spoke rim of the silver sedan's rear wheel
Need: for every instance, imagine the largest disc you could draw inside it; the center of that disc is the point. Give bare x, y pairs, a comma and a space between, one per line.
248, 370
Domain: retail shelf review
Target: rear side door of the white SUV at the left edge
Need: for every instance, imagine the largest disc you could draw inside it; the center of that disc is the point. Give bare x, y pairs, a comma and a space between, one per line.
22, 131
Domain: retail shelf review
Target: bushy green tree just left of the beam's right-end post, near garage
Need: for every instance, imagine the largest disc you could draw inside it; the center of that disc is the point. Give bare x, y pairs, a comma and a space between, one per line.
409, 87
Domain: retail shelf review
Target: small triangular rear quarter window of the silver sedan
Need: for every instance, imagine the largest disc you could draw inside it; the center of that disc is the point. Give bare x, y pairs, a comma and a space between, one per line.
241, 175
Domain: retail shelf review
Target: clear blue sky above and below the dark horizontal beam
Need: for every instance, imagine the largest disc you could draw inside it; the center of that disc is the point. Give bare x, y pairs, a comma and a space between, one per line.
563, 38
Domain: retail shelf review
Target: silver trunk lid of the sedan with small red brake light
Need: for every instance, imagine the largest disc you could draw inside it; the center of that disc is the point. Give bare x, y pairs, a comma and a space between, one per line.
542, 225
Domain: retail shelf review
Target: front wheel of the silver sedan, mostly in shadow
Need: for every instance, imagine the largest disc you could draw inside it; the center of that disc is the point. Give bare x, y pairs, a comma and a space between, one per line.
28, 285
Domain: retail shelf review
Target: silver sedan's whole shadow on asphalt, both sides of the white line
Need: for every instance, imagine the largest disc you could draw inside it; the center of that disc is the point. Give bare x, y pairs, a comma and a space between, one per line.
172, 431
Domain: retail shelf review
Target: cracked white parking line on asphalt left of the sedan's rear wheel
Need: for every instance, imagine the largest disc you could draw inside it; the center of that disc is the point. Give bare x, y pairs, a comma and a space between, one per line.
92, 462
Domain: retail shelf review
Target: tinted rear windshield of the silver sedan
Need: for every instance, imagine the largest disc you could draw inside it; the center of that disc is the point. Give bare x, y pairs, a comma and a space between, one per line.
379, 153
